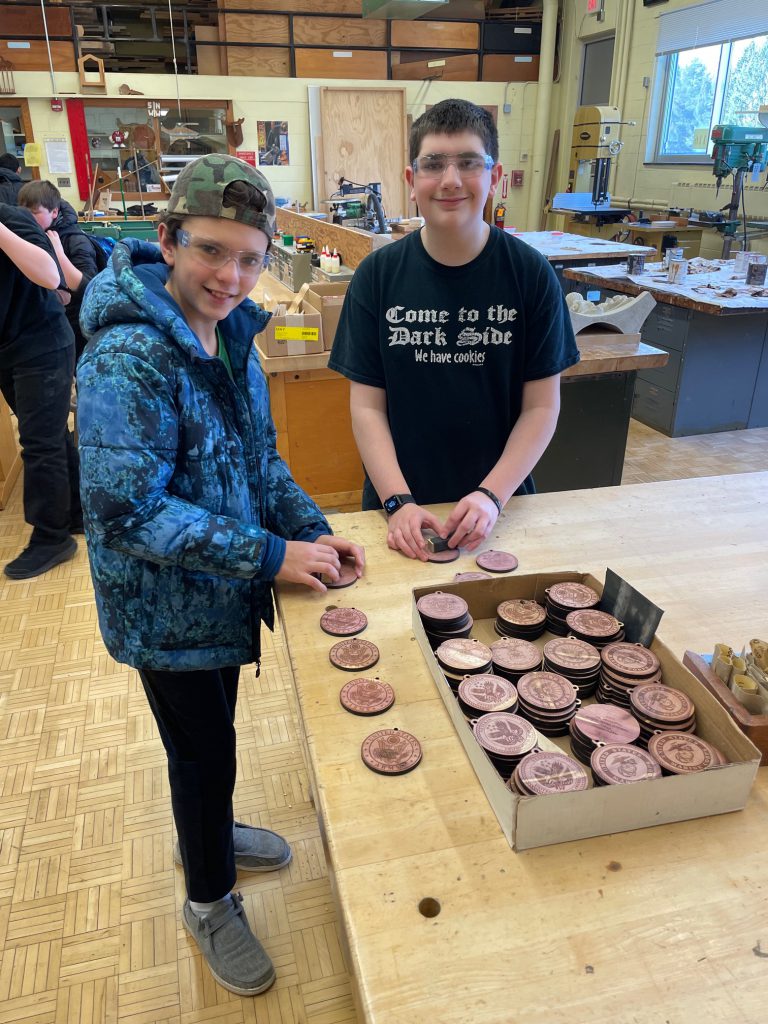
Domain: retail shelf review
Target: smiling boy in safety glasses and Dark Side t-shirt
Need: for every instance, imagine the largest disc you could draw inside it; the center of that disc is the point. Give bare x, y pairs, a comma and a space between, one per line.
454, 340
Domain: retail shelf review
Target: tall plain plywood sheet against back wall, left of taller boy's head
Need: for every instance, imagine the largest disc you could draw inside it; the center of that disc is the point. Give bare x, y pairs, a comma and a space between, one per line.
364, 140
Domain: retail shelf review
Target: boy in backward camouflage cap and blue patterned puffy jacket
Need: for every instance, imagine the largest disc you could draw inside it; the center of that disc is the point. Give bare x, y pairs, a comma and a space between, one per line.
191, 516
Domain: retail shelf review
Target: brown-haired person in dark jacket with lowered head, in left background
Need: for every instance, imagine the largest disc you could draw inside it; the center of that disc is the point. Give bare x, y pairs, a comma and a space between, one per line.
75, 251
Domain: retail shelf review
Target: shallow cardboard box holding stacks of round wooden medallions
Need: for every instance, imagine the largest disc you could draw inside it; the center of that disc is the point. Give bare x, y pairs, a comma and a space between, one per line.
534, 822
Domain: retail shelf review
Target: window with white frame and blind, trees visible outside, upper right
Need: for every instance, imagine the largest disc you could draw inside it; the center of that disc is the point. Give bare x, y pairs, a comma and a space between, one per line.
721, 80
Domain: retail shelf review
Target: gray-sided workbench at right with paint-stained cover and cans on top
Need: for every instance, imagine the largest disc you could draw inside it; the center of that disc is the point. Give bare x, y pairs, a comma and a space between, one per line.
717, 375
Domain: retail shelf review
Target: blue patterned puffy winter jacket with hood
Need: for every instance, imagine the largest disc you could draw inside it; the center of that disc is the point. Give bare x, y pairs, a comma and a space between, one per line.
188, 505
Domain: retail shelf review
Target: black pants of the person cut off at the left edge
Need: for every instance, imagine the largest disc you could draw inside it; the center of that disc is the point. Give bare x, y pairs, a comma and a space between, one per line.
39, 393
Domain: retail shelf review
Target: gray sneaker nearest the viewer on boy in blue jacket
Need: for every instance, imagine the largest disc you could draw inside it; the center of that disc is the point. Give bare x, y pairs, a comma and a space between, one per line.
235, 957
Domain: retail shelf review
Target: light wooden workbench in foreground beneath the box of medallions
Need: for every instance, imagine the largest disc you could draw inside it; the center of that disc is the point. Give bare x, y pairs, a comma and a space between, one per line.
662, 925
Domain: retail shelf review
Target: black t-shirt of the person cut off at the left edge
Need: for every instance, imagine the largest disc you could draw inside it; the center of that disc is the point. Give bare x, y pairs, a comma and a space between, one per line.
32, 319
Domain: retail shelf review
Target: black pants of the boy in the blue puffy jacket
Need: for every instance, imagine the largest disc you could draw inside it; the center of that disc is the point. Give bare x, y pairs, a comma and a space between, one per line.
195, 712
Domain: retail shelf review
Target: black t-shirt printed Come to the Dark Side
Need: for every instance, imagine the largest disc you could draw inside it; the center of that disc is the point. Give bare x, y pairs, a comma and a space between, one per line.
453, 348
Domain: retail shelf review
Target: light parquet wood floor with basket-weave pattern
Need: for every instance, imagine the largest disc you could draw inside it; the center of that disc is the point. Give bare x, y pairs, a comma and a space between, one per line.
90, 897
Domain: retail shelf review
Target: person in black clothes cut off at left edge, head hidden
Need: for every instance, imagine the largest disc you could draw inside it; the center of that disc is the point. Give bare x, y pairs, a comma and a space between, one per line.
37, 360
